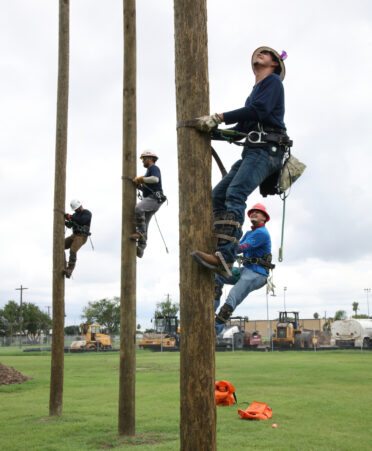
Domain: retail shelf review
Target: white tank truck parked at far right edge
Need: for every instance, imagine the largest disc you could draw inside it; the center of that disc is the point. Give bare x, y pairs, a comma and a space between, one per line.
352, 333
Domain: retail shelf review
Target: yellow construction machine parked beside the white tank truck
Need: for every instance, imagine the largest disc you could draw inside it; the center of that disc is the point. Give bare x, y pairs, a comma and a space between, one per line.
290, 334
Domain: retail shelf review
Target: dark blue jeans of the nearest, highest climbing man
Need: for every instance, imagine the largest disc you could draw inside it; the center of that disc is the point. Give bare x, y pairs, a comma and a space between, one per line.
231, 193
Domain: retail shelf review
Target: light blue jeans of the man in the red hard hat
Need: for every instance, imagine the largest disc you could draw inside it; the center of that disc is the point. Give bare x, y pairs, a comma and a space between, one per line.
249, 281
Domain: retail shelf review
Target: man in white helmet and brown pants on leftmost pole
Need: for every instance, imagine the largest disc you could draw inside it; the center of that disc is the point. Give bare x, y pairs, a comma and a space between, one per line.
80, 224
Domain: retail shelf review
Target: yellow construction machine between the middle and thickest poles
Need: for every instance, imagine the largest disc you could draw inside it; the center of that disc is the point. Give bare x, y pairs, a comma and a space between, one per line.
166, 336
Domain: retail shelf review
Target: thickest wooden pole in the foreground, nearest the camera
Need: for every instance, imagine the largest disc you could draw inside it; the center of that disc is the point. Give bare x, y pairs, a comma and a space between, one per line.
198, 409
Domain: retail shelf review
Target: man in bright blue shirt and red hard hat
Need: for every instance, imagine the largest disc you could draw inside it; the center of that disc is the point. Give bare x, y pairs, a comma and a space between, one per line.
256, 264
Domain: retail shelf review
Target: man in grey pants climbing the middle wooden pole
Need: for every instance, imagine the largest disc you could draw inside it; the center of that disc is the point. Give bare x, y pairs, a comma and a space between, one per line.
152, 199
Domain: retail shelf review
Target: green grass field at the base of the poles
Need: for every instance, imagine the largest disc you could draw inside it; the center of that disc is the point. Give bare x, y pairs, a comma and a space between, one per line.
320, 401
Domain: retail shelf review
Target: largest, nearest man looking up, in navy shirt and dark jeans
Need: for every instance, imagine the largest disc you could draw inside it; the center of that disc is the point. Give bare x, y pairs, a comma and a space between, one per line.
262, 118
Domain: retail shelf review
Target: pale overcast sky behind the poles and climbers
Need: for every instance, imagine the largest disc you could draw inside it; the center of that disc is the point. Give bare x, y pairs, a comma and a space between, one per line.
327, 247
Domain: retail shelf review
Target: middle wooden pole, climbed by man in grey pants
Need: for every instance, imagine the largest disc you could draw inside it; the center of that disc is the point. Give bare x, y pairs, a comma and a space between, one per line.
128, 247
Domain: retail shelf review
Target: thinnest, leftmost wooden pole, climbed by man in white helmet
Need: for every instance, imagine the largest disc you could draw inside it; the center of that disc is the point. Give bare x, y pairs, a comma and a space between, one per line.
56, 377
